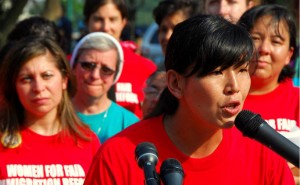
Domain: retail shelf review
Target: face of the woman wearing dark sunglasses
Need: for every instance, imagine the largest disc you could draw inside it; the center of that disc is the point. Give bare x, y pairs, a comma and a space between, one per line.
95, 71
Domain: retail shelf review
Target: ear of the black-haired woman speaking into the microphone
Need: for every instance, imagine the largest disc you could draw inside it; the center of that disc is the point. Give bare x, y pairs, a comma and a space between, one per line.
175, 83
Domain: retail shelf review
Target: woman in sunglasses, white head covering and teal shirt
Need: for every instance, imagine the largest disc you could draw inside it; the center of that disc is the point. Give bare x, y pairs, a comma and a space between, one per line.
97, 63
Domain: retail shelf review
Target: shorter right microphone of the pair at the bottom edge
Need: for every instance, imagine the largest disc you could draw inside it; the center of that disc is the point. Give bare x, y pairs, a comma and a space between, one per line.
171, 172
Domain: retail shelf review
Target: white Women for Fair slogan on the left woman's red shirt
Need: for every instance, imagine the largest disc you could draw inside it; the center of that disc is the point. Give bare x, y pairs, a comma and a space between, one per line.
53, 174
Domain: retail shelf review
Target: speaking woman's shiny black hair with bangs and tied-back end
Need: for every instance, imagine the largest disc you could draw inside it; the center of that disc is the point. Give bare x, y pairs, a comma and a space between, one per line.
198, 46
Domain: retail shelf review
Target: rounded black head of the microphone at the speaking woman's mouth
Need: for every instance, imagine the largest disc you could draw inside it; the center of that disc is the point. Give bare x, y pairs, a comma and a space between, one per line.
248, 123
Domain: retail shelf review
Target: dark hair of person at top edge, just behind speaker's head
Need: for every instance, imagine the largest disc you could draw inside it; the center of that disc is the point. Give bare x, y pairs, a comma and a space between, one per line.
168, 7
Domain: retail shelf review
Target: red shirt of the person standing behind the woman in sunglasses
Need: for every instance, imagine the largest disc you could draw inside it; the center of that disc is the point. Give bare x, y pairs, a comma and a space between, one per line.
129, 88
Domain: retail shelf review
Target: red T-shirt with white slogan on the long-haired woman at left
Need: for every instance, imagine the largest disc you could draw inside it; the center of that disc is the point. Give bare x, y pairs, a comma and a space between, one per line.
47, 160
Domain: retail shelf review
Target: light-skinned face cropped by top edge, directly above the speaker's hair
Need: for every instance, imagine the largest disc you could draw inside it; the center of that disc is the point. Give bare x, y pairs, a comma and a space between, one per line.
231, 10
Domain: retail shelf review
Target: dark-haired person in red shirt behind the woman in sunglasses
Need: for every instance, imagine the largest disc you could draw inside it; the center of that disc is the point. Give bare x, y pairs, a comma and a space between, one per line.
111, 16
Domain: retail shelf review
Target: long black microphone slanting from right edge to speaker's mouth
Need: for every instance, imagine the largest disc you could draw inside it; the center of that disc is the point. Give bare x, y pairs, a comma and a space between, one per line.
253, 126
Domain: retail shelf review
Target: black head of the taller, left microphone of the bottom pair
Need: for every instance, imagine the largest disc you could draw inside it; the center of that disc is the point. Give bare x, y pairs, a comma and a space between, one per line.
146, 152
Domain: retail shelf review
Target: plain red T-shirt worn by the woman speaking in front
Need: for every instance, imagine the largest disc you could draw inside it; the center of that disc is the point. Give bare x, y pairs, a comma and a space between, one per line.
237, 160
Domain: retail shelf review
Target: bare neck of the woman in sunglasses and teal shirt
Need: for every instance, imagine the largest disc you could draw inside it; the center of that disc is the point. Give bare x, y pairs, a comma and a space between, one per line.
91, 105
